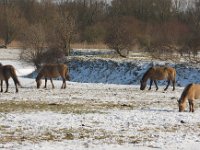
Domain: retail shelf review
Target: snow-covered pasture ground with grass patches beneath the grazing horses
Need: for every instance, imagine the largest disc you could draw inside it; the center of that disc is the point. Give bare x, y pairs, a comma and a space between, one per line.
99, 116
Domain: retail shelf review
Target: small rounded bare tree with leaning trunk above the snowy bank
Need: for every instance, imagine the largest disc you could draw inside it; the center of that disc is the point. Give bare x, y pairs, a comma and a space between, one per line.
119, 38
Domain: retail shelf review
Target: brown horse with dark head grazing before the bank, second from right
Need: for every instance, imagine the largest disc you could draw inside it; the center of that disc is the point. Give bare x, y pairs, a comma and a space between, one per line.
158, 73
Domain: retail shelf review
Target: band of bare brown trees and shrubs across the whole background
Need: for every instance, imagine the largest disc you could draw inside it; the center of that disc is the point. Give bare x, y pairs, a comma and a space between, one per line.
49, 27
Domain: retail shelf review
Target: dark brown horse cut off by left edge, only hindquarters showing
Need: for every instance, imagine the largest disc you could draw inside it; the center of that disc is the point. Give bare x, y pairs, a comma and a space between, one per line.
7, 71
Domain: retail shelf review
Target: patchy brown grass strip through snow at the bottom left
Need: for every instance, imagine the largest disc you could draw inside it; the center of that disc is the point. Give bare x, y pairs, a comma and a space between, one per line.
19, 135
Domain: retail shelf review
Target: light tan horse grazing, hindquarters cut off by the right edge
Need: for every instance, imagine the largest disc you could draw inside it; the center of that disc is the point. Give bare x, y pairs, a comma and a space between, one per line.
190, 93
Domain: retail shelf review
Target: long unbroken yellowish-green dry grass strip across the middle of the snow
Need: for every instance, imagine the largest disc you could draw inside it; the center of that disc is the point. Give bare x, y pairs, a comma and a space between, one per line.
77, 108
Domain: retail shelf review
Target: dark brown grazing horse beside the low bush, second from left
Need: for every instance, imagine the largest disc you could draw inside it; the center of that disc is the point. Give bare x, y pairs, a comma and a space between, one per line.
52, 71
